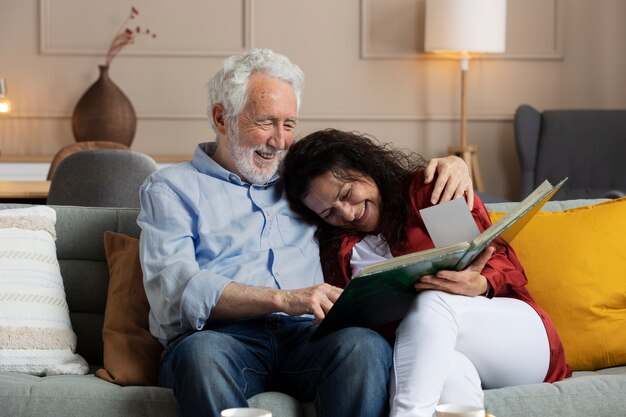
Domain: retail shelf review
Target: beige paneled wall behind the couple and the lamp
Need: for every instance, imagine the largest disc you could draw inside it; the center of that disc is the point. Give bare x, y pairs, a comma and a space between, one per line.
362, 60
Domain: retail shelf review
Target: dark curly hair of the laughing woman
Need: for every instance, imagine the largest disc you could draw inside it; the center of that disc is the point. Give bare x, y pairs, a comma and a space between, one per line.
346, 154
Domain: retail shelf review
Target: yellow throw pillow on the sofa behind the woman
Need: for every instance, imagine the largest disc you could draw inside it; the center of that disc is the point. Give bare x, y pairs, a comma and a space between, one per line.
575, 261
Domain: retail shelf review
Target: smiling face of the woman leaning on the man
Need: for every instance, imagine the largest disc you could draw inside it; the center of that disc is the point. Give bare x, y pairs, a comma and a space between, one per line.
353, 204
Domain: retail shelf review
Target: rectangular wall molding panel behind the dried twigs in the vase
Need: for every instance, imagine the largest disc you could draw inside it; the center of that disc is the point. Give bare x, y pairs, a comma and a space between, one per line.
203, 37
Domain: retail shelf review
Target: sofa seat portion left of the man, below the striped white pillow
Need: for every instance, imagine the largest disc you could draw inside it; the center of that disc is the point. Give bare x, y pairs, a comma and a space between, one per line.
80, 395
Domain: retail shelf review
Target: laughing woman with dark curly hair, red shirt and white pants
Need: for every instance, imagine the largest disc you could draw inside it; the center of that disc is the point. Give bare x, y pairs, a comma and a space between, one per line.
466, 330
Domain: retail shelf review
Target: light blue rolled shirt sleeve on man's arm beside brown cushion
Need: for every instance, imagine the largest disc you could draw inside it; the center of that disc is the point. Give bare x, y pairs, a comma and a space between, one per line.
181, 294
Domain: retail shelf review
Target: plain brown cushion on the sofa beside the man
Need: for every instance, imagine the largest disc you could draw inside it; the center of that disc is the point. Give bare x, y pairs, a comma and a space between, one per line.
131, 353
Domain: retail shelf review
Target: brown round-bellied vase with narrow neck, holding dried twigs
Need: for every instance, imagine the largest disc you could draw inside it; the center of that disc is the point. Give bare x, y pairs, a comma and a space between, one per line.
104, 113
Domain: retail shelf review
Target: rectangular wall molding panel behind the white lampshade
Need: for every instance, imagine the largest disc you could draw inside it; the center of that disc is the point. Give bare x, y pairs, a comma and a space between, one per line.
394, 29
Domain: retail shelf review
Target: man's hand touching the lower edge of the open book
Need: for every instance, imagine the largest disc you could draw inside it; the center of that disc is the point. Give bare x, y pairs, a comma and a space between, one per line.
316, 300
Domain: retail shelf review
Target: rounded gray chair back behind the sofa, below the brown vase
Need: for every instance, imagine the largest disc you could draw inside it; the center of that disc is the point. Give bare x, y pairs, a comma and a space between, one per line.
100, 178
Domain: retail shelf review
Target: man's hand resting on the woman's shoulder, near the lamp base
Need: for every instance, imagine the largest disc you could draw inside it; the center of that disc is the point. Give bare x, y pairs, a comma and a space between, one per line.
453, 179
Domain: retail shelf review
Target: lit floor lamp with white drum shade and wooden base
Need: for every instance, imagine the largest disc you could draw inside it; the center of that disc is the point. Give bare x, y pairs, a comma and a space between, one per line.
463, 29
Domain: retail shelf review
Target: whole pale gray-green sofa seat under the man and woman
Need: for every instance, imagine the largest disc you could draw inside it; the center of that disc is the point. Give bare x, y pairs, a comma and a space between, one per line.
587, 393
